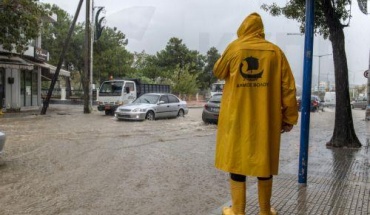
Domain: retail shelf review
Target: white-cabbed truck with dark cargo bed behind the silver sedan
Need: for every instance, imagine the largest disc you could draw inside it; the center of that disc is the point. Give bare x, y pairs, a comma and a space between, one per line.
114, 93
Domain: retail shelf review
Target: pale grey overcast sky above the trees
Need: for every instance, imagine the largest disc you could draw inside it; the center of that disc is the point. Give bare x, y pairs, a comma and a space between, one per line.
201, 24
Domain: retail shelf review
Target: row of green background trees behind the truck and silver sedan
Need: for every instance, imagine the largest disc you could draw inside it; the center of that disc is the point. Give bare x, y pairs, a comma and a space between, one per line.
176, 65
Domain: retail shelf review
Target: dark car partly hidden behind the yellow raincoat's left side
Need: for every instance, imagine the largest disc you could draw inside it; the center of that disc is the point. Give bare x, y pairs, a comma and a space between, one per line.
211, 109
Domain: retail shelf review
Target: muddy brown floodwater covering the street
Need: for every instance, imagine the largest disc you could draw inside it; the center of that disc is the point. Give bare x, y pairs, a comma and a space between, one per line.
67, 162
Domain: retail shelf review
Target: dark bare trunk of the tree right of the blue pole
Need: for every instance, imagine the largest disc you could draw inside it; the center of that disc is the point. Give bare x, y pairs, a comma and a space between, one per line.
344, 133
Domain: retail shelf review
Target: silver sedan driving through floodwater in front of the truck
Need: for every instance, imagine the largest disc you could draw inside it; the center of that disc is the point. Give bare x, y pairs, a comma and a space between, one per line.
153, 106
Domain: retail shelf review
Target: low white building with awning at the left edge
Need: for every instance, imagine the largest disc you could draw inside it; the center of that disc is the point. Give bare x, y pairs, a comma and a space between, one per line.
21, 76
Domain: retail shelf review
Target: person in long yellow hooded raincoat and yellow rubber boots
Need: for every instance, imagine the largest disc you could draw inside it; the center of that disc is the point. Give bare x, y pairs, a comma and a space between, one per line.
258, 104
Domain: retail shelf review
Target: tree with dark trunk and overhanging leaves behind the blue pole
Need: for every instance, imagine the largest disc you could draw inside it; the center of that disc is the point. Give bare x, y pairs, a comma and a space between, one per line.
331, 17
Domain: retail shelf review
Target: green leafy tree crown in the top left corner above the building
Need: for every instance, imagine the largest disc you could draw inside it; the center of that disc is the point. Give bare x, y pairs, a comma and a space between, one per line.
20, 22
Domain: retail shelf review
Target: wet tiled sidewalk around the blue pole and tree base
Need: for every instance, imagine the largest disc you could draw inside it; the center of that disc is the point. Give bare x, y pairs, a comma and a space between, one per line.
338, 179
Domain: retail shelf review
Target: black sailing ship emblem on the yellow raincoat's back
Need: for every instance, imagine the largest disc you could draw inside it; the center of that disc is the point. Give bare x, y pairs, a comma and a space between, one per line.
248, 67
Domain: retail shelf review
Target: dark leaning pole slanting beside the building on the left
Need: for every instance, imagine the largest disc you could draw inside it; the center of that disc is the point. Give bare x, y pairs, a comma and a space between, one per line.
65, 48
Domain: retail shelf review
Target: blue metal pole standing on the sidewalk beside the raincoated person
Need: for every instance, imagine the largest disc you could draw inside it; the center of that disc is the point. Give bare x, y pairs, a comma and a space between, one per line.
306, 93
